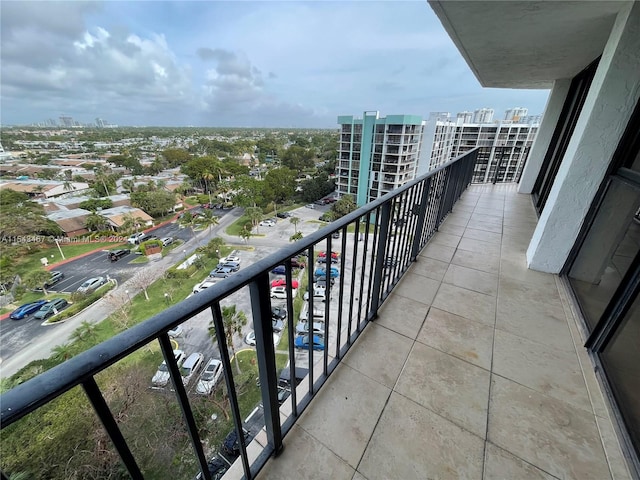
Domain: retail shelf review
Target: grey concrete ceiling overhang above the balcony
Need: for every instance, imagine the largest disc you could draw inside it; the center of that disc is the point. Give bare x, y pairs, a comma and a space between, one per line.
527, 44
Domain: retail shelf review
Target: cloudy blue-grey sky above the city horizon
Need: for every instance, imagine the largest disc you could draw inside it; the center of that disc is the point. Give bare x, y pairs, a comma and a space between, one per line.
234, 64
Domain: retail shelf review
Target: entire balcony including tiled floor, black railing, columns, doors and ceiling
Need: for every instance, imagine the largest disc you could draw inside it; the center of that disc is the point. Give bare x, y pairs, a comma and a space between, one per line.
481, 331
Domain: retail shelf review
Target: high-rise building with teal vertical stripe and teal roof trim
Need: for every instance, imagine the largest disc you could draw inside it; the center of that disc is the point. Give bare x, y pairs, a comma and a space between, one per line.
377, 154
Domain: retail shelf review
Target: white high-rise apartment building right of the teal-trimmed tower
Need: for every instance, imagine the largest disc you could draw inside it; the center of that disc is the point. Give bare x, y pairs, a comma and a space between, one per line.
504, 145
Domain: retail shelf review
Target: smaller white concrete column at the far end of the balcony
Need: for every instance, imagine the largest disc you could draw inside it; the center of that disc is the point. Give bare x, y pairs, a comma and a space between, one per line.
541, 144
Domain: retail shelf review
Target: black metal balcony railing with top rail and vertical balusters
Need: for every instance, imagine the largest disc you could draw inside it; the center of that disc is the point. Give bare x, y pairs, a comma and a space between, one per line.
377, 244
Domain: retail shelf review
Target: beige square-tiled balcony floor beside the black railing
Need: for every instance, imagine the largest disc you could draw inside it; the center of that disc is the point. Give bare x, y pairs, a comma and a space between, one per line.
470, 371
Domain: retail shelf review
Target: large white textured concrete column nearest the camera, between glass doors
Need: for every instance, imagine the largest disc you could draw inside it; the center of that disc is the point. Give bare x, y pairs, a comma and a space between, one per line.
614, 92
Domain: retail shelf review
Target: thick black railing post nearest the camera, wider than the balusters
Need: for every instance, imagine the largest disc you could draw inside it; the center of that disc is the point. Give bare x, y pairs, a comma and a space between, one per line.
265, 351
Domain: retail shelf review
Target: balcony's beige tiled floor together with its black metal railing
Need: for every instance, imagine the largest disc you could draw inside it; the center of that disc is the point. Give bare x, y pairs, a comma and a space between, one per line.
447, 357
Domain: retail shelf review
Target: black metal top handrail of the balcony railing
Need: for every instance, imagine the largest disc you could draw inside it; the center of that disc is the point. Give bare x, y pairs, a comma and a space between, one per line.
27, 397
